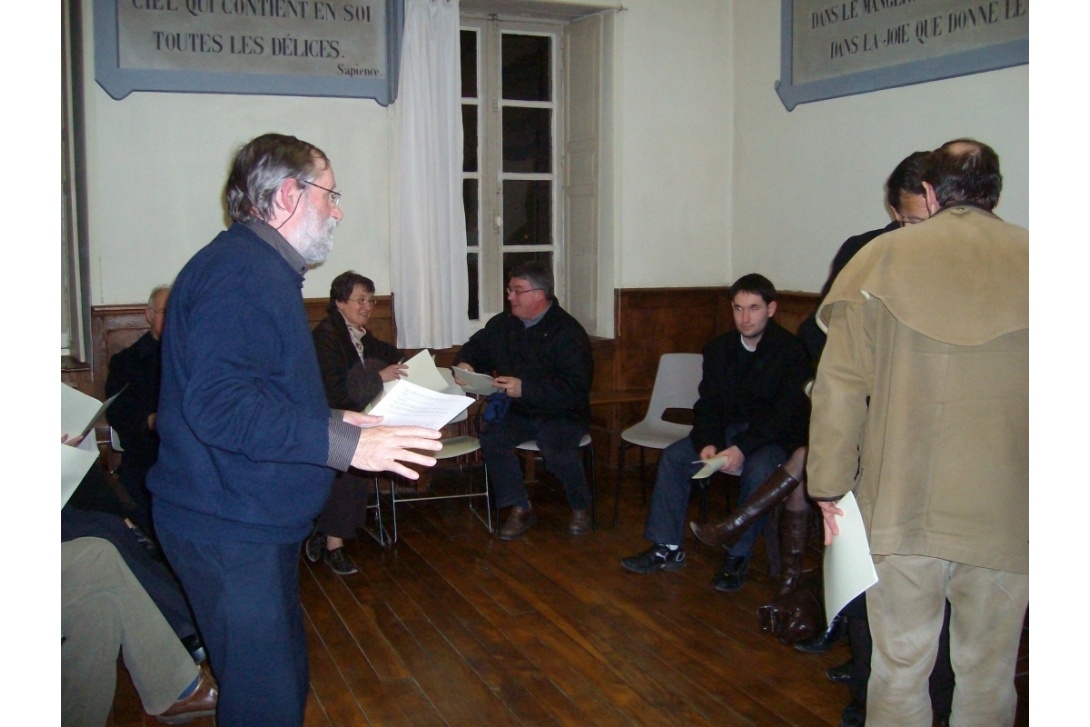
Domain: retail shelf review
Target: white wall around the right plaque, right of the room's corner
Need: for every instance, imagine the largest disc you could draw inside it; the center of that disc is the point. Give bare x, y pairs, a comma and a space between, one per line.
806, 180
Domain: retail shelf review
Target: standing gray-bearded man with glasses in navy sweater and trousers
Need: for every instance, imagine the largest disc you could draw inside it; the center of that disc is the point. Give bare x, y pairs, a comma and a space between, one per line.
247, 437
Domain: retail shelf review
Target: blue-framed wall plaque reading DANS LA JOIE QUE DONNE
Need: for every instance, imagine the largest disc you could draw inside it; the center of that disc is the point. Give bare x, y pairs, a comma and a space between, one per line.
831, 50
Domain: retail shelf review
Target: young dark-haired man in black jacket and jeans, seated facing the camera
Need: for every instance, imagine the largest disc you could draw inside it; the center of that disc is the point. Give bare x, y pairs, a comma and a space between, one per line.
753, 411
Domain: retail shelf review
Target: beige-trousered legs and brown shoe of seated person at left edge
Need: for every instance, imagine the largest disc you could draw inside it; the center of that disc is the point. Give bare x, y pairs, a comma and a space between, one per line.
104, 611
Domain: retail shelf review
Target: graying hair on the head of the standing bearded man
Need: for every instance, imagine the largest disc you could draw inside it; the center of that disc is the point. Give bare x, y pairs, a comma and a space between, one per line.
262, 166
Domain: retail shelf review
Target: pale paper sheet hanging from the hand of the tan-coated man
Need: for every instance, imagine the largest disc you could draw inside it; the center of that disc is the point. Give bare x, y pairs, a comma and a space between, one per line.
849, 567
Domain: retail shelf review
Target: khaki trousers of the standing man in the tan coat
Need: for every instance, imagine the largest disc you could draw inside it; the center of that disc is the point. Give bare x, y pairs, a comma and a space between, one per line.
905, 609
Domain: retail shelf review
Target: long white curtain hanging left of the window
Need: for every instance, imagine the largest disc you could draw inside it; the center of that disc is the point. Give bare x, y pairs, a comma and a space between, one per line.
431, 293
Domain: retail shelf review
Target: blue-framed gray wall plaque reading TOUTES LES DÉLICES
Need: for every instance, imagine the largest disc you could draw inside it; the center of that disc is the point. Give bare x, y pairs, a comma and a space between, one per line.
277, 47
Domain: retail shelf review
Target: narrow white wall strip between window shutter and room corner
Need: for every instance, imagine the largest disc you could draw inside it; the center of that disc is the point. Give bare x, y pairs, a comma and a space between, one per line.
674, 129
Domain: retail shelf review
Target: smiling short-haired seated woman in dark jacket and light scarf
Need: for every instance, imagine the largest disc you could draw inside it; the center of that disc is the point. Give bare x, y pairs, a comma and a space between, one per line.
355, 366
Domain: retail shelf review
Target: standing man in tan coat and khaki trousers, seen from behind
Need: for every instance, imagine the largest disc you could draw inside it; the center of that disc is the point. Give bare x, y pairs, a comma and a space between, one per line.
922, 409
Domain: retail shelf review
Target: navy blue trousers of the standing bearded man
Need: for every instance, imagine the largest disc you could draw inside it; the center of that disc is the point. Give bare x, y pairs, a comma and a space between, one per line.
246, 598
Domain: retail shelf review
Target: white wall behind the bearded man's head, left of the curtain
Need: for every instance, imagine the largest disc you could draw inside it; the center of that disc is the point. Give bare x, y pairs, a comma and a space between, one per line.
158, 164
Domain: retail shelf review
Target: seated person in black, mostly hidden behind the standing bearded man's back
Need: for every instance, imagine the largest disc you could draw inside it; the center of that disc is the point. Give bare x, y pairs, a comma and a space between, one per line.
134, 415
